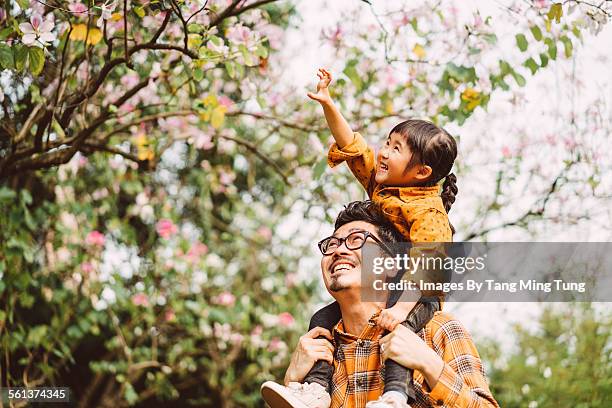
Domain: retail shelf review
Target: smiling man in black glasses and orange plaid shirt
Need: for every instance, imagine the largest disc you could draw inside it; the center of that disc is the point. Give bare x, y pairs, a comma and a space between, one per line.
448, 370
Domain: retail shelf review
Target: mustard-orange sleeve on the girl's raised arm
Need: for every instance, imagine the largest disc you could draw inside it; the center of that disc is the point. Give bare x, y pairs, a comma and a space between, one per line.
360, 159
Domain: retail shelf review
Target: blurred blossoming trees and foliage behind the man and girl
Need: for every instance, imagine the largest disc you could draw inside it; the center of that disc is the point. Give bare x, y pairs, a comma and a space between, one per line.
163, 180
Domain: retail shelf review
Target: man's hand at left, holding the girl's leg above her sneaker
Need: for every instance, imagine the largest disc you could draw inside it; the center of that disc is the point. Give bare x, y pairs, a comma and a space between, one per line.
309, 350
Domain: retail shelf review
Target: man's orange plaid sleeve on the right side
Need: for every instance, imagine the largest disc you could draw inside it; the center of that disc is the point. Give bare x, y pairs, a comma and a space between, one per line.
462, 382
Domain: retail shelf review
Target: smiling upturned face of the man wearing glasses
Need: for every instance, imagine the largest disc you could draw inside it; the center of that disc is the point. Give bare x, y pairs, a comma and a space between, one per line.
342, 268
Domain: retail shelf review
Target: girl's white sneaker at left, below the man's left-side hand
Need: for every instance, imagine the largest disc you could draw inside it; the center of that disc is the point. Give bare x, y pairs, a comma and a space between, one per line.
296, 395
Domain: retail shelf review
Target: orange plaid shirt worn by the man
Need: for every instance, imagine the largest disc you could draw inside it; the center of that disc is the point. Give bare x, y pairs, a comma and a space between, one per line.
358, 379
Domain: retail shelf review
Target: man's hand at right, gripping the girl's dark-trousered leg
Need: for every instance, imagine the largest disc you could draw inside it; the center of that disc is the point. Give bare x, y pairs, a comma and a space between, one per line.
409, 350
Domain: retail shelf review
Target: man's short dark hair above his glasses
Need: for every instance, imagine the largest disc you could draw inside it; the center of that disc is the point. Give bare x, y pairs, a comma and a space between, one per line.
369, 212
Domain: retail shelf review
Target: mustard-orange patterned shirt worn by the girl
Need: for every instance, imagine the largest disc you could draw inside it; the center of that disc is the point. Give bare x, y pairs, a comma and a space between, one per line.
417, 212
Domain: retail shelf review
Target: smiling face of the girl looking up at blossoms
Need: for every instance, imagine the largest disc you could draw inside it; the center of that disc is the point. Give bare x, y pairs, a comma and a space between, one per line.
393, 158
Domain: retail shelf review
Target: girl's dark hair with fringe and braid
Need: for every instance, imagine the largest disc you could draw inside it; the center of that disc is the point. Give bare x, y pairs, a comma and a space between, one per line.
435, 147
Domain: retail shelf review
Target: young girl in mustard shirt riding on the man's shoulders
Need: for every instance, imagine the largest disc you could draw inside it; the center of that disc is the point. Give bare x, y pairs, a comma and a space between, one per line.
403, 181
